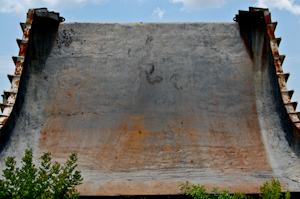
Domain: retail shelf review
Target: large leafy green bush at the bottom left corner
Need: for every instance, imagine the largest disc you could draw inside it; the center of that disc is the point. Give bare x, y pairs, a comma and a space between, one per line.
51, 181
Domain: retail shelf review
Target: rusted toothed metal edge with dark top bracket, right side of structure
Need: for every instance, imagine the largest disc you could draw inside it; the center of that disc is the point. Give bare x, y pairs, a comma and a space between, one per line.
263, 17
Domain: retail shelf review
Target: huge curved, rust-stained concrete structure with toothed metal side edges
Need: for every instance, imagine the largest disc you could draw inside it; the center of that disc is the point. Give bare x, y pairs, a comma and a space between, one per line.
149, 105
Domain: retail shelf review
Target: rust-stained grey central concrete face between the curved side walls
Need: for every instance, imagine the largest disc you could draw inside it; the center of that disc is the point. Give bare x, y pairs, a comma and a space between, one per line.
139, 99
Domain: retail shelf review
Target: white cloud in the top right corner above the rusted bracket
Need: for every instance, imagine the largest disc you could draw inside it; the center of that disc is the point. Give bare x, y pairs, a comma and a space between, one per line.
288, 5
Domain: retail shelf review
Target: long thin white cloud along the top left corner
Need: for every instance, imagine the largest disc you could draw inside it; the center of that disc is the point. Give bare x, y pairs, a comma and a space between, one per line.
21, 6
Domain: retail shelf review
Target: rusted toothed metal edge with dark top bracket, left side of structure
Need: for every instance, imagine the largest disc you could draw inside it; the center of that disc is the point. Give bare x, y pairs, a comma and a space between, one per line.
9, 97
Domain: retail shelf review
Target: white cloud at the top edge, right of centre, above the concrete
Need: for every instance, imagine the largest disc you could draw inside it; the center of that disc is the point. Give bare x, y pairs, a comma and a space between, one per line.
199, 4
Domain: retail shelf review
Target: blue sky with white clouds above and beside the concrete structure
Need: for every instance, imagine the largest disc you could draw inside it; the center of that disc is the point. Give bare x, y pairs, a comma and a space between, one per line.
286, 12
